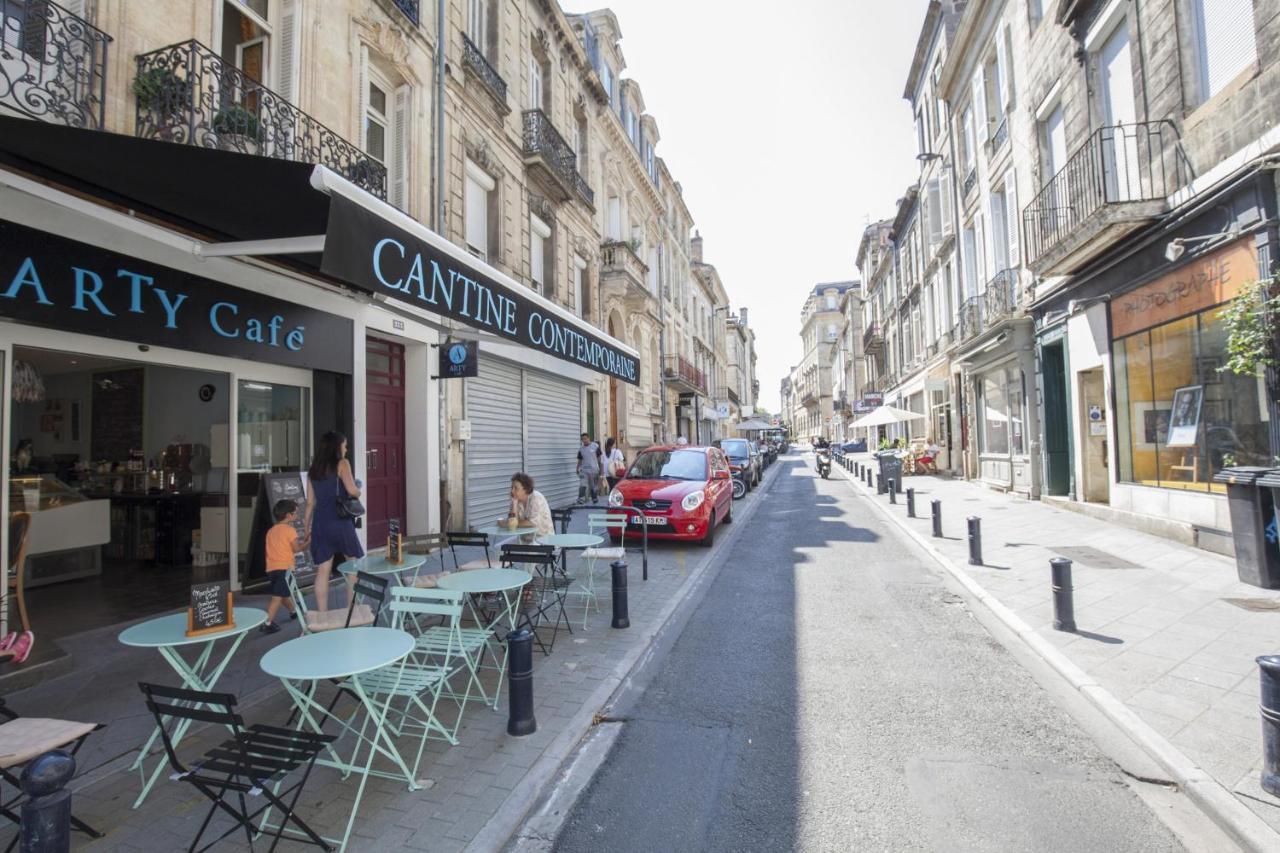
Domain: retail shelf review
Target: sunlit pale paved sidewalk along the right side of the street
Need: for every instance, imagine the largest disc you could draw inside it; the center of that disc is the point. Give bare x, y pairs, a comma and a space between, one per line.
1165, 630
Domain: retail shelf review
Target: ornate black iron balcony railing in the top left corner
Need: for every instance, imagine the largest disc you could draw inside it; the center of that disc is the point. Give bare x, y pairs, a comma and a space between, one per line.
53, 65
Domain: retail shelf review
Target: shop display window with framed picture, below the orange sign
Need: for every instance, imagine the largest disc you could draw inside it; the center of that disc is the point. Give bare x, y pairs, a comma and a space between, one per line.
1180, 418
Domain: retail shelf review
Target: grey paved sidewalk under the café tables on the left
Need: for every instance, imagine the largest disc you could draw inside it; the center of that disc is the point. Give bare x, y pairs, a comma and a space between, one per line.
473, 793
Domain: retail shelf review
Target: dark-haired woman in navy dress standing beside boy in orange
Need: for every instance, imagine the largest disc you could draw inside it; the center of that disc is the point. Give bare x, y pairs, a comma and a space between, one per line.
331, 535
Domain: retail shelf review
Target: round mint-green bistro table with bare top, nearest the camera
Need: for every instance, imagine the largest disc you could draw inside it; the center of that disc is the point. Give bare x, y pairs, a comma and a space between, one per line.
345, 655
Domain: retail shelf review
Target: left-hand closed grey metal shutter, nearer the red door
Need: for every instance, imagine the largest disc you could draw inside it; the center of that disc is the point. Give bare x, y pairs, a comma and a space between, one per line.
493, 453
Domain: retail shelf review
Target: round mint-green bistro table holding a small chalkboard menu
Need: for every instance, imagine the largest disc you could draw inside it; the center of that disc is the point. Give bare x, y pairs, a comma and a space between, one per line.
167, 635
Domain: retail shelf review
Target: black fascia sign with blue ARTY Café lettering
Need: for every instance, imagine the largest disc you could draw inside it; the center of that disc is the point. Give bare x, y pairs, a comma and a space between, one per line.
60, 284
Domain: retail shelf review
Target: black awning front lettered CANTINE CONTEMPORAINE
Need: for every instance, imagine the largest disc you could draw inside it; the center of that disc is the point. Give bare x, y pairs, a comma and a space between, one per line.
369, 253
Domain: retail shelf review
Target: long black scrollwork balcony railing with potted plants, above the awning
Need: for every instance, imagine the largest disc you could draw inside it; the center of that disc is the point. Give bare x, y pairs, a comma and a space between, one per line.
189, 94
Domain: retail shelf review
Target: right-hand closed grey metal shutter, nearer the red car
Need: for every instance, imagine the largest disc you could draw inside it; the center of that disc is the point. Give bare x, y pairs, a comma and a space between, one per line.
554, 425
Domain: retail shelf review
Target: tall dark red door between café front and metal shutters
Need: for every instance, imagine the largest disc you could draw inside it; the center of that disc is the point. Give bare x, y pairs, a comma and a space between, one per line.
385, 439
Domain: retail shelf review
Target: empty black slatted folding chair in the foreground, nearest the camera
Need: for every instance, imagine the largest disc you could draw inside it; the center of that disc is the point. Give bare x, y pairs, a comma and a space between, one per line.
254, 761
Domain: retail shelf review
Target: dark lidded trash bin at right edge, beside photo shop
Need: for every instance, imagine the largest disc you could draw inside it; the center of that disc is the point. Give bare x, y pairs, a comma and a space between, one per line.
1254, 523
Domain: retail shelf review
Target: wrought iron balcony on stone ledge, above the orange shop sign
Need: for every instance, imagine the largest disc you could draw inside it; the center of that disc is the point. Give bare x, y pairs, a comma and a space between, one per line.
1114, 184
